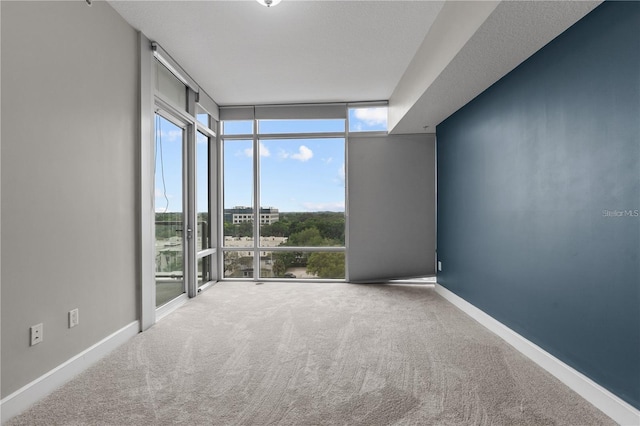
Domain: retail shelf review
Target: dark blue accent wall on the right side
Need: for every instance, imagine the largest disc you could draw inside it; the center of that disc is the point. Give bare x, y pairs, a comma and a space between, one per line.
538, 199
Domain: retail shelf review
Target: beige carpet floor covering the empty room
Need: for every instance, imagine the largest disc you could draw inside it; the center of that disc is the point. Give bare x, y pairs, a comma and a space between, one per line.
315, 354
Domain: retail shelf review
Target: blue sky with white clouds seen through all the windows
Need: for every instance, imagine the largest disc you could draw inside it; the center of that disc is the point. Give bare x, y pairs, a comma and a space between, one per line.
297, 175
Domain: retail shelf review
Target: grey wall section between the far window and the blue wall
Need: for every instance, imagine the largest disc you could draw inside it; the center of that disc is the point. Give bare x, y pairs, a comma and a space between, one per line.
391, 186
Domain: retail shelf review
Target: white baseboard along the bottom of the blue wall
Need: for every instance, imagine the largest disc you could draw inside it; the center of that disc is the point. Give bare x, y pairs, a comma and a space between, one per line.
611, 405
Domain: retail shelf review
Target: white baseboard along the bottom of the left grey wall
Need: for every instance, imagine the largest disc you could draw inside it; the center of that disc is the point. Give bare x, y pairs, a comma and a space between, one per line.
23, 398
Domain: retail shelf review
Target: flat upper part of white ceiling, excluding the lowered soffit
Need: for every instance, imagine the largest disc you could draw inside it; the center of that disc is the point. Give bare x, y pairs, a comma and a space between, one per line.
298, 51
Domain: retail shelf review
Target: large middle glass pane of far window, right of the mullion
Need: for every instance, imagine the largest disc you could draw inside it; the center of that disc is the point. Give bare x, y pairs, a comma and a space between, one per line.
304, 181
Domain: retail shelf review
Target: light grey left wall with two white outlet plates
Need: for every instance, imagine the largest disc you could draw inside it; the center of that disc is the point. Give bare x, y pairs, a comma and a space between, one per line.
69, 152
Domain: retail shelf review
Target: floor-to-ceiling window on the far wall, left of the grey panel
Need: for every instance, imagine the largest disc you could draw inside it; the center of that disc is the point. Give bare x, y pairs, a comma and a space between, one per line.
284, 192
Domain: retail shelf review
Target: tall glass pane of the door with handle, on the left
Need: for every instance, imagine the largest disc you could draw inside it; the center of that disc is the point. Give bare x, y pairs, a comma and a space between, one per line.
169, 211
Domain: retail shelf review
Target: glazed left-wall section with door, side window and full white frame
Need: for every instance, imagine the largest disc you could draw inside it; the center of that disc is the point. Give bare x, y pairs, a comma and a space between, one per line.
178, 185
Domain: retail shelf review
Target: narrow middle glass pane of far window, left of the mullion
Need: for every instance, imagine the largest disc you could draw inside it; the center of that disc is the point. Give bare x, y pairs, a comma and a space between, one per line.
238, 193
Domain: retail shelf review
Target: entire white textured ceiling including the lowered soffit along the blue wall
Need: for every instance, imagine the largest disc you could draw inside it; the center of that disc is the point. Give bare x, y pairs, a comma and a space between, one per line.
307, 51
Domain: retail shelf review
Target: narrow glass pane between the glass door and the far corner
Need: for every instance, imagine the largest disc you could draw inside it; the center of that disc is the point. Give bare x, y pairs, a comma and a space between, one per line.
202, 187
